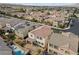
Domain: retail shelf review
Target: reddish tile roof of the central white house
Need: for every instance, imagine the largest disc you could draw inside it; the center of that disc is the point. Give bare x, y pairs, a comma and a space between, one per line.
42, 31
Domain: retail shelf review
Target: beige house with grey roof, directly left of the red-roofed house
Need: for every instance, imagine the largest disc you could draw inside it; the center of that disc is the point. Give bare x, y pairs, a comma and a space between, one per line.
22, 29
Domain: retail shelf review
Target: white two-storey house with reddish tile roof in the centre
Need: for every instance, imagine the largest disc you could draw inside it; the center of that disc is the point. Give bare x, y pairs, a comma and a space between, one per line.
40, 35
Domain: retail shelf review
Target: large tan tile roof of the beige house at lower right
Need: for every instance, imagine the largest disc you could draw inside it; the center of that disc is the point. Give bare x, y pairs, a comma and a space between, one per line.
61, 40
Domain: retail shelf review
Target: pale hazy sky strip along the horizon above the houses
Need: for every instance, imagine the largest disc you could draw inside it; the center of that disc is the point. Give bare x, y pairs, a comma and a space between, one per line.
43, 4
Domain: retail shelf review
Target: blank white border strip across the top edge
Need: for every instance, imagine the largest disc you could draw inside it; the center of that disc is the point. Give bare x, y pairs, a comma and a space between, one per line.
39, 1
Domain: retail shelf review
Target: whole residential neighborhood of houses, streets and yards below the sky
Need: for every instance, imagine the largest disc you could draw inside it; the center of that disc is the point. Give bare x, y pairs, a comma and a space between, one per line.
39, 30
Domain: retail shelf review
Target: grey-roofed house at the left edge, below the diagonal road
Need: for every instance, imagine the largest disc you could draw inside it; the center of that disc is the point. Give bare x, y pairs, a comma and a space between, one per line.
9, 22
